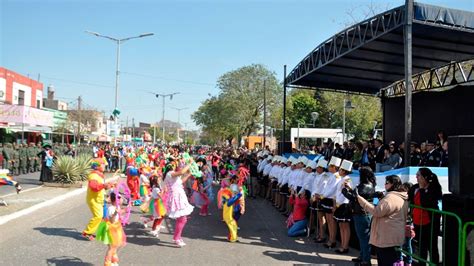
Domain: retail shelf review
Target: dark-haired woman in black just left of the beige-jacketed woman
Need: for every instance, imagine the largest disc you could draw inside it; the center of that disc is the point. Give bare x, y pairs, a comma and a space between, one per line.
365, 189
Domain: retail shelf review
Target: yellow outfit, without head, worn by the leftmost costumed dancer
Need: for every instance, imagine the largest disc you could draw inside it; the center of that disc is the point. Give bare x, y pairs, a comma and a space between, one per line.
95, 200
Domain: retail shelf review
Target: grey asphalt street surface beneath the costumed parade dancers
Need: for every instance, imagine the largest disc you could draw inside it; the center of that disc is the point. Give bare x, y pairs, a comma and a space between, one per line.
51, 236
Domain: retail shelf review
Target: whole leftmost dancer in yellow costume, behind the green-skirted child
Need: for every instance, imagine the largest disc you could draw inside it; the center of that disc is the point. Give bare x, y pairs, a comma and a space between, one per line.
95, 198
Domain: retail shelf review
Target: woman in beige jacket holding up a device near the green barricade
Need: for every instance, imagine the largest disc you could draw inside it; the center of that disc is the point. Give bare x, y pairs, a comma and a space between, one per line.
387, 232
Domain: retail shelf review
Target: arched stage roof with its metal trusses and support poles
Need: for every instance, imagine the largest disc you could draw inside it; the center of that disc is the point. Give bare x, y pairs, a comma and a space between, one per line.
379, 55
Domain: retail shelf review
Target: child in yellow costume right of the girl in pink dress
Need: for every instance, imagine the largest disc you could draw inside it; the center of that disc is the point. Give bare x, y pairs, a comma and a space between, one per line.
229, 197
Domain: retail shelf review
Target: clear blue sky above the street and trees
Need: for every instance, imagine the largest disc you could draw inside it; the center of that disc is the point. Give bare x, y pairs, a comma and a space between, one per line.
195, 42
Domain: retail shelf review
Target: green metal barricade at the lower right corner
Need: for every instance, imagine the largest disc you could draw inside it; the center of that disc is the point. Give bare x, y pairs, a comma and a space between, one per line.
443, 217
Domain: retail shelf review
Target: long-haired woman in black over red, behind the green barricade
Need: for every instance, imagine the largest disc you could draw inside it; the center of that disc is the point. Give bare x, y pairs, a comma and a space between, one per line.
426, 193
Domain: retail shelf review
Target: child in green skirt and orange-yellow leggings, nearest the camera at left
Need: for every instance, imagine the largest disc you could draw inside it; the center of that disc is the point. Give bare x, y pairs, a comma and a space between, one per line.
110, 231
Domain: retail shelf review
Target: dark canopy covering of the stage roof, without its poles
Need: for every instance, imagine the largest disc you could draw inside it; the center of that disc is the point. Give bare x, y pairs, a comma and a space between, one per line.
369, 56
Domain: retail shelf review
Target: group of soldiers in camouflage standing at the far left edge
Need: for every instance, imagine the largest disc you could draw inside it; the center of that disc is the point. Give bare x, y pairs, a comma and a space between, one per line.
20, 158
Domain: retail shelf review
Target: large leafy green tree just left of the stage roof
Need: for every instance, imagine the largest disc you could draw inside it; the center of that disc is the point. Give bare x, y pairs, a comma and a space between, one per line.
238, 109
